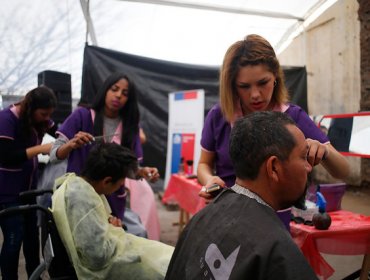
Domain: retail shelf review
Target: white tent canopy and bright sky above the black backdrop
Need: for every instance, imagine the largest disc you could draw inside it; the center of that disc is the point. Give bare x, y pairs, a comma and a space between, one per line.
43, 35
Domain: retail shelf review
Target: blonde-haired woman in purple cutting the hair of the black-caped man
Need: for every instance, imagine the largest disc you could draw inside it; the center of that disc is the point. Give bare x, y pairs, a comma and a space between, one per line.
251, 79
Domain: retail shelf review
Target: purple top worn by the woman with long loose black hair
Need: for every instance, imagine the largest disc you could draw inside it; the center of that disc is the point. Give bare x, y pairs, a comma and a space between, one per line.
81, 120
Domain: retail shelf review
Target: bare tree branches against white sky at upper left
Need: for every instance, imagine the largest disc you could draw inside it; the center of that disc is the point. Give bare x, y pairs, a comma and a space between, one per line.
34, 39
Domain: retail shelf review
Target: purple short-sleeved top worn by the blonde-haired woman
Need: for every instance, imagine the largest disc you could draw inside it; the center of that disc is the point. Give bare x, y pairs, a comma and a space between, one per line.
216, 134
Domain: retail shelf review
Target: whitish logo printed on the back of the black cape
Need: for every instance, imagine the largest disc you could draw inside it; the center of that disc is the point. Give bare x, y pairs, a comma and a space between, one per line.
220, 267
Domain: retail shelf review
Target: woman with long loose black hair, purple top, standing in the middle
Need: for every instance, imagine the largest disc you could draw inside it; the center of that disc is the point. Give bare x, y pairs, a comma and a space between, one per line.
114, 115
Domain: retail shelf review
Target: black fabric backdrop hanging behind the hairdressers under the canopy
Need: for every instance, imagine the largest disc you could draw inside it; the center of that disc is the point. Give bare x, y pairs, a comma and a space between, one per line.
154, 79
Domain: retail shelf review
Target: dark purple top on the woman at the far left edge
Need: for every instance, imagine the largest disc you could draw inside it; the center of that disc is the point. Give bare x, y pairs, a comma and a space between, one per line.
21, 177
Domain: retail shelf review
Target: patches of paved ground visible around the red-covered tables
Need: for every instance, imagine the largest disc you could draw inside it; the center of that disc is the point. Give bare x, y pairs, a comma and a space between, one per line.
353, 200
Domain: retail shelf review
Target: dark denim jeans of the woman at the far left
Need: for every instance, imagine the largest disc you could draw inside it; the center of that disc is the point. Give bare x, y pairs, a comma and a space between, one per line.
17, 229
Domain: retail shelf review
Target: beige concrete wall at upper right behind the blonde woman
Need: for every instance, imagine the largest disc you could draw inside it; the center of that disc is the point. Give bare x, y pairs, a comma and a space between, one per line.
330, 49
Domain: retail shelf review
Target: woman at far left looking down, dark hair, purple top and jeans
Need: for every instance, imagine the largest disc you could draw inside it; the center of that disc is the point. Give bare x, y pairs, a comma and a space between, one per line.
22, 127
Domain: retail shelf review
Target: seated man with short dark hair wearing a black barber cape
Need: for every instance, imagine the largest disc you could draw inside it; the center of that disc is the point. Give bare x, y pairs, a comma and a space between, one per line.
239, 235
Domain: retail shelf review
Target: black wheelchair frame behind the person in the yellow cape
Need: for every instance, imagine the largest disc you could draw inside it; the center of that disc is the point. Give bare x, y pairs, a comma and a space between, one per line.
55, 264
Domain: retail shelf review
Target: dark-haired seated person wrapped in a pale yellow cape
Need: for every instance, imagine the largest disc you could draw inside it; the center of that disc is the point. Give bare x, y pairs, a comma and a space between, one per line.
96, 243
